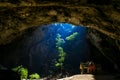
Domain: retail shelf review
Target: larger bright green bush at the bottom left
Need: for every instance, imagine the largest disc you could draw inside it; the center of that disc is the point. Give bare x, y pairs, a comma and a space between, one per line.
22, 71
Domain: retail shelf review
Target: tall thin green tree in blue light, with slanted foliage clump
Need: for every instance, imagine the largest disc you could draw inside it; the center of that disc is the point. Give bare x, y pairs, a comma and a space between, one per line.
62, 54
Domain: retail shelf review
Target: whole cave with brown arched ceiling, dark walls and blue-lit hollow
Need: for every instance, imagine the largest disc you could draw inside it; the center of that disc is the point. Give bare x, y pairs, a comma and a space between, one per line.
28, 33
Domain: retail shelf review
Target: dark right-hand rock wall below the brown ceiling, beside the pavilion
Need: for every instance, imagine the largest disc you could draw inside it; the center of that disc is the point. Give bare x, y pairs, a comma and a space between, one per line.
107, 50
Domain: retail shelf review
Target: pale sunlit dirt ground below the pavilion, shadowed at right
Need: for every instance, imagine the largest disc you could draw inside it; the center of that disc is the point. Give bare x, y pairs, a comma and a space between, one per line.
90, 77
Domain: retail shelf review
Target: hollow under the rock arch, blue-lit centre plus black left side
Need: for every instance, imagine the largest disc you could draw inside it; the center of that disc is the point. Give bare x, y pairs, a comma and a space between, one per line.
40, 48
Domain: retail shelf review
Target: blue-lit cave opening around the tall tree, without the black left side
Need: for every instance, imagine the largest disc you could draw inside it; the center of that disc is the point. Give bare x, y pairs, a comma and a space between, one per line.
58, 39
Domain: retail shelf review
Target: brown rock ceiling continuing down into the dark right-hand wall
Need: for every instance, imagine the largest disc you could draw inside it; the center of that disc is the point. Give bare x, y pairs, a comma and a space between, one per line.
103, 21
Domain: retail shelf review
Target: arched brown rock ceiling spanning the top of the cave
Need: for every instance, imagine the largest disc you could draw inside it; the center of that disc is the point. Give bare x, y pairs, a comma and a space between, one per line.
15, 19
